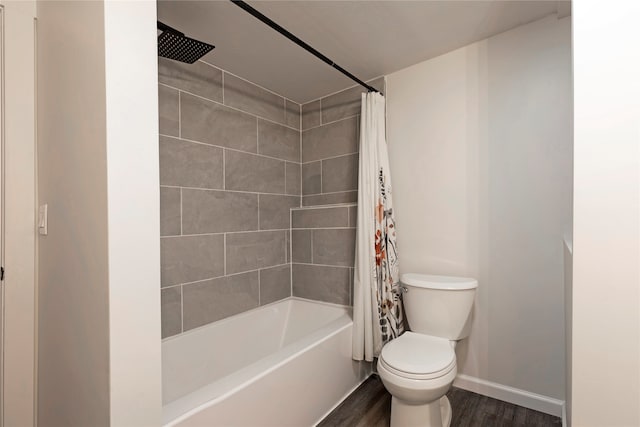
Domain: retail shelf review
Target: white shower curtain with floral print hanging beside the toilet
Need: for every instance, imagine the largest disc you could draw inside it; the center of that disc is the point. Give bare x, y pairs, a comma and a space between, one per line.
377, 304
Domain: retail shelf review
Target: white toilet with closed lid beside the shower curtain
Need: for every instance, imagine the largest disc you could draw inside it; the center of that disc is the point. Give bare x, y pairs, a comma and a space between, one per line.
419, 367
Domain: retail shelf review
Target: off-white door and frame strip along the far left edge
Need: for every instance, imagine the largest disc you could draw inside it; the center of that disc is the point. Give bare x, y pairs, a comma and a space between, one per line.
17, 212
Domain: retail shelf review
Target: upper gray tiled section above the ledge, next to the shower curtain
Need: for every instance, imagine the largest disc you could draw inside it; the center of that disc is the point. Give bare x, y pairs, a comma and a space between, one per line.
330, 139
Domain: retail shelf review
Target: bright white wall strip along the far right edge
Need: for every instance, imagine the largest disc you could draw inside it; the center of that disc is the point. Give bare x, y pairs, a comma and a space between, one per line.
606, 263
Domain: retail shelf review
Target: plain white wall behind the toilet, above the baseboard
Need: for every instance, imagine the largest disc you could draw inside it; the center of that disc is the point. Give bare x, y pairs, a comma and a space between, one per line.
481, 161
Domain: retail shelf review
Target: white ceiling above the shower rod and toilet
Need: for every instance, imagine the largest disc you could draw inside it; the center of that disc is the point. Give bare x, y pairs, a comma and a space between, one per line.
368, 38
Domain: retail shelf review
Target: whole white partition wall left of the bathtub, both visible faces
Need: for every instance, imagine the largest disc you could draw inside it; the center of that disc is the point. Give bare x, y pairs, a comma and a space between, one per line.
99, 308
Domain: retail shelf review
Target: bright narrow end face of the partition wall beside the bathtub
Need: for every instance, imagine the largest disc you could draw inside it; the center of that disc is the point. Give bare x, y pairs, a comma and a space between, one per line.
134, 212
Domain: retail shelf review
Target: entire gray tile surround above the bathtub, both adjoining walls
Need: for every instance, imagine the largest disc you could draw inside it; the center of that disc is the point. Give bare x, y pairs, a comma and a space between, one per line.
231, 155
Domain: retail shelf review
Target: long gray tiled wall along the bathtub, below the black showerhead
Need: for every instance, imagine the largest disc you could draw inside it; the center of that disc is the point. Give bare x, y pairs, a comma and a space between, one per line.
230, 171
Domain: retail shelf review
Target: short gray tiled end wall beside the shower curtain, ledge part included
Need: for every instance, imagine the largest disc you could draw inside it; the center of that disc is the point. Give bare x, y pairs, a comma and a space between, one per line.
323, 238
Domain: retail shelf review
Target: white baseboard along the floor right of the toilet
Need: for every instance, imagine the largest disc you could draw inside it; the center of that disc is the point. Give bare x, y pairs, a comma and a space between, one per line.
534, 401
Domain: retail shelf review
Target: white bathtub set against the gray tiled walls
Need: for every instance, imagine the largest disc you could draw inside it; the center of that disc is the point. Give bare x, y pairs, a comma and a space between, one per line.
285, 364
